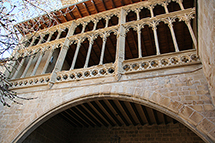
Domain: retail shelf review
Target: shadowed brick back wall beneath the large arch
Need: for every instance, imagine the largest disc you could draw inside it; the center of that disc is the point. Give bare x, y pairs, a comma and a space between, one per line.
136, 134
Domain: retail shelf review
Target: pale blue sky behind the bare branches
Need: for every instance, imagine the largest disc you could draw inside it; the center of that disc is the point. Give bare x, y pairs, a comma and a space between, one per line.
25, 11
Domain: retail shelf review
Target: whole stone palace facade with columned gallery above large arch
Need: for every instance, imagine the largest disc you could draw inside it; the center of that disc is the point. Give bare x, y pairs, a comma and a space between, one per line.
117, 71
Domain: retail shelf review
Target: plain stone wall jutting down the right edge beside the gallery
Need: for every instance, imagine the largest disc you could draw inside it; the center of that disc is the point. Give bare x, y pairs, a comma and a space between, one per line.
206, 41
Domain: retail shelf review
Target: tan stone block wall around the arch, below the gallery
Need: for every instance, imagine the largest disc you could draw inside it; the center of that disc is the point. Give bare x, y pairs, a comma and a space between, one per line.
181, 92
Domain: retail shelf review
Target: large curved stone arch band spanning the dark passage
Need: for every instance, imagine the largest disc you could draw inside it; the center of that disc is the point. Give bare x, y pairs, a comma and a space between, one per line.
194, 120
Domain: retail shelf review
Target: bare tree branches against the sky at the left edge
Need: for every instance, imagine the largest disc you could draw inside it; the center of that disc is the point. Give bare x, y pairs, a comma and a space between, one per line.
12, 29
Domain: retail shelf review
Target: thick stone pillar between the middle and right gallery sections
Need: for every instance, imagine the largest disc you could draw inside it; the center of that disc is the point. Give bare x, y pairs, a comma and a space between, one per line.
120, 47
